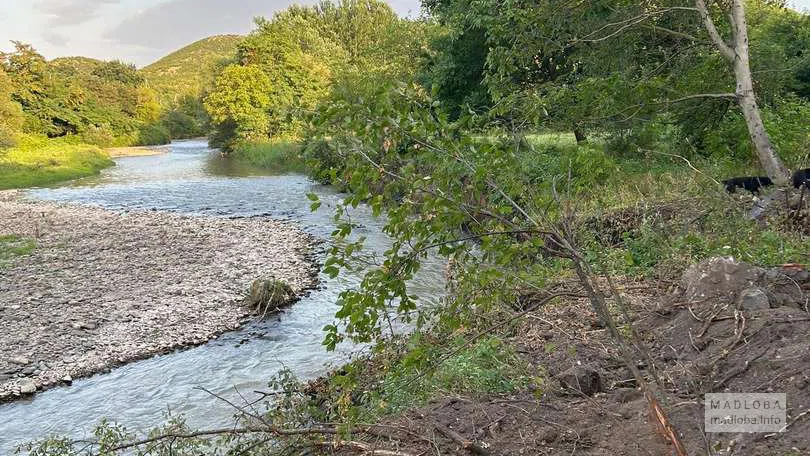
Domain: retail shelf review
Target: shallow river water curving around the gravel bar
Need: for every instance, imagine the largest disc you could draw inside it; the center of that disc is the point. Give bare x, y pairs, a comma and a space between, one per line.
192, 179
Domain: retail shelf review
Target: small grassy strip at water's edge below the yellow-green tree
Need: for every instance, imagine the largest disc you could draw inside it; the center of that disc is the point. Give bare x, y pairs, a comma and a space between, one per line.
280, 156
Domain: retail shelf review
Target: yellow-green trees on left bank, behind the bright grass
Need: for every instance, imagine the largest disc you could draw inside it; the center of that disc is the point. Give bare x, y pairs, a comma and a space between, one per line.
105, 103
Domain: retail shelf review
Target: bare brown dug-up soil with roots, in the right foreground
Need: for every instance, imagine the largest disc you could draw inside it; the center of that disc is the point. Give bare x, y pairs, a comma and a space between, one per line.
698, 345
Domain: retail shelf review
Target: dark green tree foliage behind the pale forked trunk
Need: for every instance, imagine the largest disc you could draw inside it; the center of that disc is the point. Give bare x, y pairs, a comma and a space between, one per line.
616, 68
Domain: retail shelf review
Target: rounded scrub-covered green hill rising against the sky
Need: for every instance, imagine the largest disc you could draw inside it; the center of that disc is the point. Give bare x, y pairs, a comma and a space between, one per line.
187, 70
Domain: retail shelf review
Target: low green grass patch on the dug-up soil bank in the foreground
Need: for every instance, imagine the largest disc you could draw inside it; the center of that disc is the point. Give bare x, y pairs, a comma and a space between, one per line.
408, 376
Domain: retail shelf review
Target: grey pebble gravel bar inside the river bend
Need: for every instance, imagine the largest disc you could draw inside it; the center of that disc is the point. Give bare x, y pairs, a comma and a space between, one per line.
105, 288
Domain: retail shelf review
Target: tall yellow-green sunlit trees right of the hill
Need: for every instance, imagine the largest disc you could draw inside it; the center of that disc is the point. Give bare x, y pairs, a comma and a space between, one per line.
305, 52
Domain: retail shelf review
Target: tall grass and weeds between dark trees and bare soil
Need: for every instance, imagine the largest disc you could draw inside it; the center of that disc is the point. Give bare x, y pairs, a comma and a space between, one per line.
667, 206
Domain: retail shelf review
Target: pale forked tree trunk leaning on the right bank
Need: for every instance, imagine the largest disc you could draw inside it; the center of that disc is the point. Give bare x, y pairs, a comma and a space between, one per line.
737, 54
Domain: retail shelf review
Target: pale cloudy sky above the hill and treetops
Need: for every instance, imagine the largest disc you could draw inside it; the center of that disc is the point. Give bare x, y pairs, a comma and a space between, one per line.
140, 31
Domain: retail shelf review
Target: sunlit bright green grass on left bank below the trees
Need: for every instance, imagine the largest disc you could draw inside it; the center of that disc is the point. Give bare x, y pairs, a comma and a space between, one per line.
36, 162
